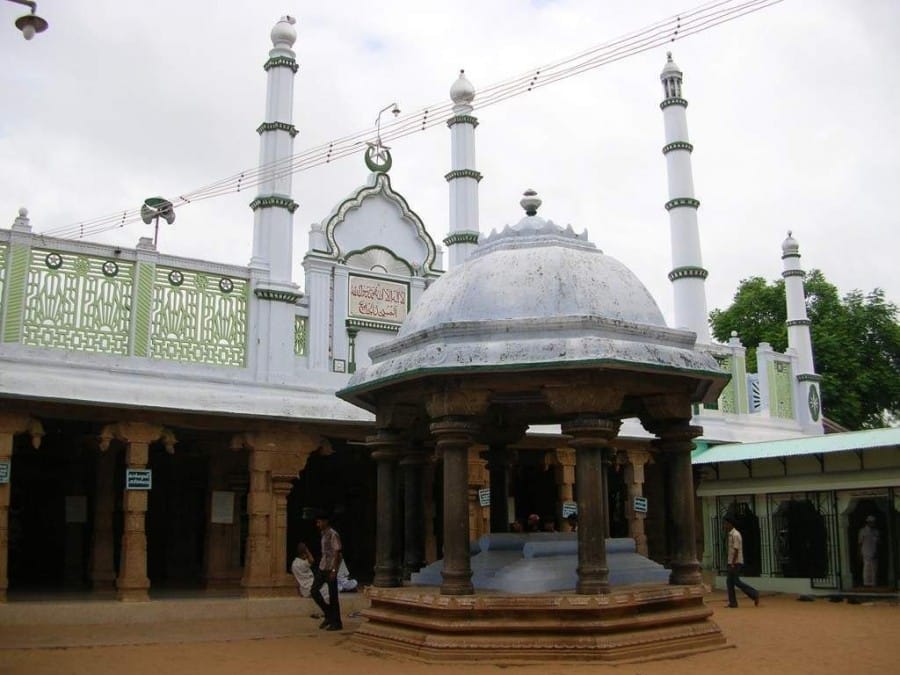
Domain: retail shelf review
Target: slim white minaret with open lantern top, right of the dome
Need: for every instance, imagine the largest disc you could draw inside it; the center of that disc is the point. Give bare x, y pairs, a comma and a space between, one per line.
688, 276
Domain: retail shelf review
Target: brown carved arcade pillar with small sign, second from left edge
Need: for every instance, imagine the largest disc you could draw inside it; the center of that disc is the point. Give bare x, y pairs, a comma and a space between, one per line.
132, 583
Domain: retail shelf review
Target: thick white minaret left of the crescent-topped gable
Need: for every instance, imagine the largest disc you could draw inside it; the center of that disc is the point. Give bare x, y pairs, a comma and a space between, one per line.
273, 308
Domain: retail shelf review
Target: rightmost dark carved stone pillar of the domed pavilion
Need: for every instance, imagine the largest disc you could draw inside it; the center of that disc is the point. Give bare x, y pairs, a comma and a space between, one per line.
675, 439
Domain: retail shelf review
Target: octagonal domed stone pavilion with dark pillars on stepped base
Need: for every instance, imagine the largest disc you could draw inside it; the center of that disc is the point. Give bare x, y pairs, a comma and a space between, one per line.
538, 326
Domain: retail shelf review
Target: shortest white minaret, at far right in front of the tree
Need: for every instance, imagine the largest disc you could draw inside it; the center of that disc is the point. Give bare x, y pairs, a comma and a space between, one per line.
808, 396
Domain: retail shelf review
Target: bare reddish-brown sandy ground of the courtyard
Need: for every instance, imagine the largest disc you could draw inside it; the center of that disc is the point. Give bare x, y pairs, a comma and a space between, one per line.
782, 635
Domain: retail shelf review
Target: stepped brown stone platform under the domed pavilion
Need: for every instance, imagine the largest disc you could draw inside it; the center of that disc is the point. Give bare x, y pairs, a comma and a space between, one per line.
629, 624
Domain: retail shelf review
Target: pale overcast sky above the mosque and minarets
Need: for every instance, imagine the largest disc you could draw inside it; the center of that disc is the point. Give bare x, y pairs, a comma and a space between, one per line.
794, 115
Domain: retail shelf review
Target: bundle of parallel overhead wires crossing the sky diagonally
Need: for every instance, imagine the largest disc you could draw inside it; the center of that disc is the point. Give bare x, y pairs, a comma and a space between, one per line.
665, 31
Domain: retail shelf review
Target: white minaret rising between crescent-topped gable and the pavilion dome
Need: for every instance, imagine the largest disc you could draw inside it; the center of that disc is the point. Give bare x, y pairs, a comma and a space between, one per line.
463, 178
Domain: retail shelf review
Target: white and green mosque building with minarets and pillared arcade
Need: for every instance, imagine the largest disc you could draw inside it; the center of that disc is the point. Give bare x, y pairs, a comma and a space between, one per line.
165, 421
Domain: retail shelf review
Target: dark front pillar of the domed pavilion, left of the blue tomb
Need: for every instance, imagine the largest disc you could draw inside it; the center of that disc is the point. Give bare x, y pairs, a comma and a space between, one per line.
453, 437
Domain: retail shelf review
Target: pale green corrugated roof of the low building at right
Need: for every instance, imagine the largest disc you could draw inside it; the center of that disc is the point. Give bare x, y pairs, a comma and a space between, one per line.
806, 445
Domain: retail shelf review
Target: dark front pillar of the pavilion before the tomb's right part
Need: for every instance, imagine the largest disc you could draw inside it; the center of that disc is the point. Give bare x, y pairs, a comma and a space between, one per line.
591, 437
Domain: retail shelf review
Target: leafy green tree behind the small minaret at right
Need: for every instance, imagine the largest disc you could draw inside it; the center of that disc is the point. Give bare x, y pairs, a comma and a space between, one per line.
856, 343
